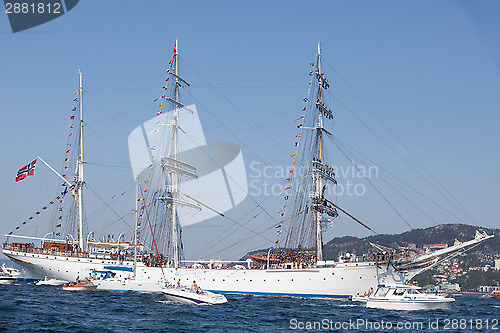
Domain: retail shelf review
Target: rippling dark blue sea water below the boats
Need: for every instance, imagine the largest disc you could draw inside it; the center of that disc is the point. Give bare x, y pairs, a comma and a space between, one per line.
25, 307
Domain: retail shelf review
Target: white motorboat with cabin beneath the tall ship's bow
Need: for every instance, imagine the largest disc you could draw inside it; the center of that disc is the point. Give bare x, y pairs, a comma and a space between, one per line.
406, 297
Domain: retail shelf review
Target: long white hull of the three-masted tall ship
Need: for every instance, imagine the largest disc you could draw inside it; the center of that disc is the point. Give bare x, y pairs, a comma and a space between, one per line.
342, 280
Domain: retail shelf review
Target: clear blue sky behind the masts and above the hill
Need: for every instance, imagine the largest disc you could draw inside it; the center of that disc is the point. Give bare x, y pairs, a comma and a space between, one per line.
414, 89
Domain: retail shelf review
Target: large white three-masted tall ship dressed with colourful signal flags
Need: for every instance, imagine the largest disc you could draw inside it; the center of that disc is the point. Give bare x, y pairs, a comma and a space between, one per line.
167, 163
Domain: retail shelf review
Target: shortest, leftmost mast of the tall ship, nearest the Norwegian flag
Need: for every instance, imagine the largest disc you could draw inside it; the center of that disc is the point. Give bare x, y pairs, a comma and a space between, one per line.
79, 172
